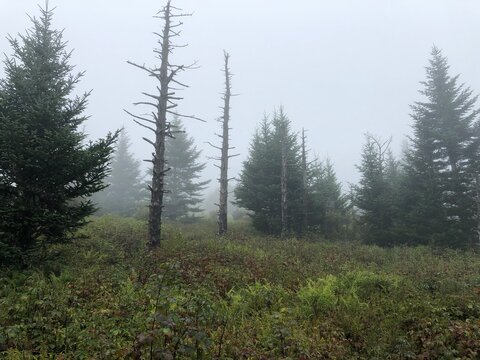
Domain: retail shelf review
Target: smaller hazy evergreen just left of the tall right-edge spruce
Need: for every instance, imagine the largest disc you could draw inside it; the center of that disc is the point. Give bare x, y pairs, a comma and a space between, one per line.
374, 196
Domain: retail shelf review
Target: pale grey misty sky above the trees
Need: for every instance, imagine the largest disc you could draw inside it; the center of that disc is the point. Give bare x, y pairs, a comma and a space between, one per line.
339, 68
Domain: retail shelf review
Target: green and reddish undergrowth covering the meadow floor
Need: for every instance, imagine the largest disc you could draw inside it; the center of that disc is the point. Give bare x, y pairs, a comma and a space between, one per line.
244, 296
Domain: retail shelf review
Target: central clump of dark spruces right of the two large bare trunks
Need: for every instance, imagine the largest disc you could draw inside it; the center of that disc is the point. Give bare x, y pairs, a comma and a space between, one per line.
283, 191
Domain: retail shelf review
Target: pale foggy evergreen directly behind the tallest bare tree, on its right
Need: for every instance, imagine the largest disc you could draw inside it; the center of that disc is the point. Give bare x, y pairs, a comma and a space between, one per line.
183, 189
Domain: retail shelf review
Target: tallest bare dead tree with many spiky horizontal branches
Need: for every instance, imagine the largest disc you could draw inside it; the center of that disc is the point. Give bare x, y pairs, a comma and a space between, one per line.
163, 103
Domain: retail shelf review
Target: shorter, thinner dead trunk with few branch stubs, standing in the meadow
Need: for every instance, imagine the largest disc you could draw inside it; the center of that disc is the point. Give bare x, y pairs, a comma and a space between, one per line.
224, 149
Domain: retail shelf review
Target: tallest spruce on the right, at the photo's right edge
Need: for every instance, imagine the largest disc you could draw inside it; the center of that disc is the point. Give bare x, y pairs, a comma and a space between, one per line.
441, 163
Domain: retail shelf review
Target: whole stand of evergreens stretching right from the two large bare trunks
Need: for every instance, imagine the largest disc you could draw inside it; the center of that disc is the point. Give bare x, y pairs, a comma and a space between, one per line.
430, 195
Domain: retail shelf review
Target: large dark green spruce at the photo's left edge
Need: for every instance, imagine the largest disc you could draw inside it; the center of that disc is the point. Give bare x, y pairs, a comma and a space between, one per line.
47, 171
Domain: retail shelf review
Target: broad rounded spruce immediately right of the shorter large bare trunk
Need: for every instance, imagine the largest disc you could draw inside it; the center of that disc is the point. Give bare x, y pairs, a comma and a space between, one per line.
259, 188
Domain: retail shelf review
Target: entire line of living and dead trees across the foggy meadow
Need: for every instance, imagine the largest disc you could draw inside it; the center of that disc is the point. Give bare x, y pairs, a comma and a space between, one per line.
49, 171
